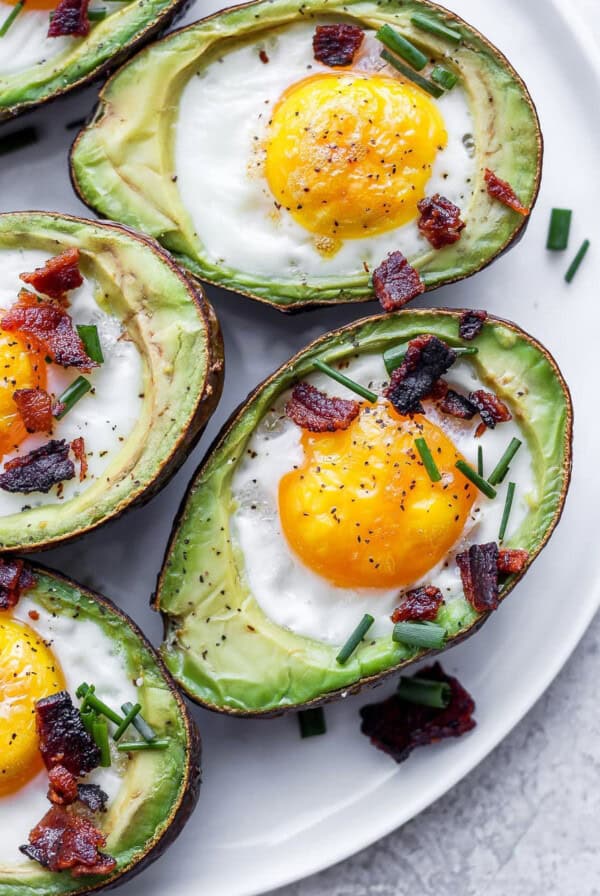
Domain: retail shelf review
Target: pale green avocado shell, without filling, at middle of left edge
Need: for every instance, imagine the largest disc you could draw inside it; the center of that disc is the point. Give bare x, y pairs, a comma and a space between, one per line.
178, 337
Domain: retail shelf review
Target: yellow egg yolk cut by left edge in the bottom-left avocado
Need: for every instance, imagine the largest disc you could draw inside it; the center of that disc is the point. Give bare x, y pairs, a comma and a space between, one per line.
28, 672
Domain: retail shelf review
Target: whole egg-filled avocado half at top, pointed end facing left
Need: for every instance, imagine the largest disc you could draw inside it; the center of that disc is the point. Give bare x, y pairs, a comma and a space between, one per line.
281, 176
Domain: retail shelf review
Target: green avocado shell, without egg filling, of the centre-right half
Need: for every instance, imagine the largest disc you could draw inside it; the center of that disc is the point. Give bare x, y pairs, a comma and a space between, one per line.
262, 669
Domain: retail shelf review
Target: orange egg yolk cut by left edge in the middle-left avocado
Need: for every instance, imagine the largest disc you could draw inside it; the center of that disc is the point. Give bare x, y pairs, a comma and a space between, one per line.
22, 366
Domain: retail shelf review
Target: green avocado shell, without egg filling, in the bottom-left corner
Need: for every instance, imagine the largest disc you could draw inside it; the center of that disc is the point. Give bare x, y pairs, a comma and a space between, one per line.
161, 787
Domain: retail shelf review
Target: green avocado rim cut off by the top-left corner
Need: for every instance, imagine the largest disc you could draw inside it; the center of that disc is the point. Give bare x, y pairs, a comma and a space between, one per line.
109, 42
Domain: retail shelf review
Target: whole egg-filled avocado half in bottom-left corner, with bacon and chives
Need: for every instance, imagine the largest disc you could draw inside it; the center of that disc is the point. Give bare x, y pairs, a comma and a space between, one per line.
128, 806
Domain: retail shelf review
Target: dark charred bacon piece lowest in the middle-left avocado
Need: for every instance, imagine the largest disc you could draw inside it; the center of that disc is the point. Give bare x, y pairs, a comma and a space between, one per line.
38, 470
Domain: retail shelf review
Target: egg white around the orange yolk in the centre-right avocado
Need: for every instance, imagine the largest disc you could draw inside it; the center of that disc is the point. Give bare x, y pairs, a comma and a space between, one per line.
295, 597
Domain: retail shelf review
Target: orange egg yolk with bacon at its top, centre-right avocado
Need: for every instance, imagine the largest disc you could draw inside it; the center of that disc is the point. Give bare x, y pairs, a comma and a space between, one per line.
361, 510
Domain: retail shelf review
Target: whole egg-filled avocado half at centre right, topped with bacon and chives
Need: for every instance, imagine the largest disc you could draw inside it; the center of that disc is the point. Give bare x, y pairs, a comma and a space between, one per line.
285, 534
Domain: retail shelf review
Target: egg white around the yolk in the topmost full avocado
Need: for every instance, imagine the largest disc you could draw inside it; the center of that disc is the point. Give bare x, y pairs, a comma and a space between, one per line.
223, 116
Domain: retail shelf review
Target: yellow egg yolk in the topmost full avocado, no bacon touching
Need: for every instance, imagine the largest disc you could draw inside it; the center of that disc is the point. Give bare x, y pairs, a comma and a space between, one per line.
349, 155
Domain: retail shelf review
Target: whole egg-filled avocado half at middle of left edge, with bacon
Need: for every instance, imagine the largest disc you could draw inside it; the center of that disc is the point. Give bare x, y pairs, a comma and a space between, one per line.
113, 363
